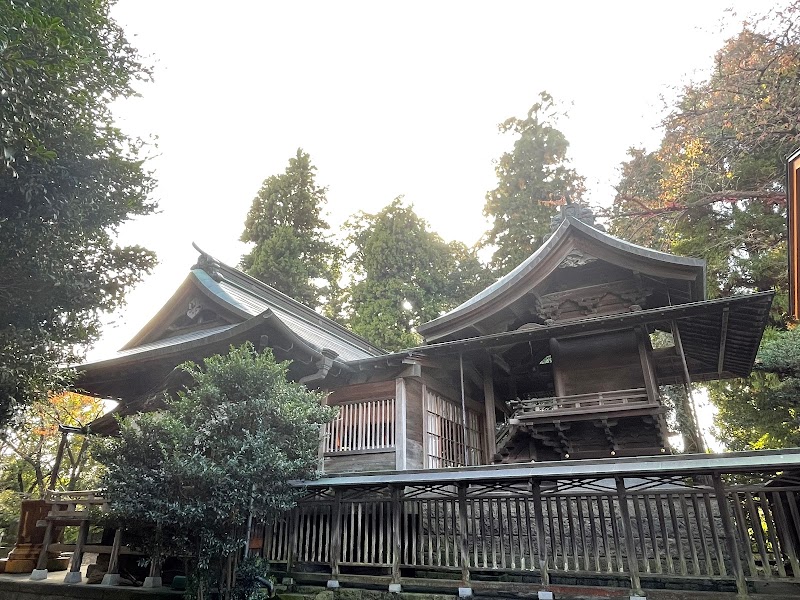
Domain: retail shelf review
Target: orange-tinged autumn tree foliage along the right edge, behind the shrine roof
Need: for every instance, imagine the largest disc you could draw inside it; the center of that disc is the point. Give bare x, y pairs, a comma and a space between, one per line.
715, 189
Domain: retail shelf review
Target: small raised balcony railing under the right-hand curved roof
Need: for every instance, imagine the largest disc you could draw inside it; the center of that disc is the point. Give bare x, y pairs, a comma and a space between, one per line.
598, 401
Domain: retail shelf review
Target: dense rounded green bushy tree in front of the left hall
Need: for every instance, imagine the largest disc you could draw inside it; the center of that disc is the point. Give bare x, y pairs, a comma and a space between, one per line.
223, 452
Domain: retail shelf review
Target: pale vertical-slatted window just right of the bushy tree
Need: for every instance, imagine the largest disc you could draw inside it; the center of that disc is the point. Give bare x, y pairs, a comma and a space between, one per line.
366, 425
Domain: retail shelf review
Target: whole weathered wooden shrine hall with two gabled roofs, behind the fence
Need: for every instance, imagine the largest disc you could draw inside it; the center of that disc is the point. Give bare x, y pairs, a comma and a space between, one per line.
561, 358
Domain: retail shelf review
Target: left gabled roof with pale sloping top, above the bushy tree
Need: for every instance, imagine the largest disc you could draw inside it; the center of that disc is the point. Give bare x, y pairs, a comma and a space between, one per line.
240, 309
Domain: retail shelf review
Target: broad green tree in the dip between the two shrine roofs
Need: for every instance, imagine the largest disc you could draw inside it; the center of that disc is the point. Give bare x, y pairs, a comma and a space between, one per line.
404, 275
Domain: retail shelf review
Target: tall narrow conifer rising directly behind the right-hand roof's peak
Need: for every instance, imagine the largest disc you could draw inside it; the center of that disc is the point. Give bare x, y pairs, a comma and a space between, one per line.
532, 179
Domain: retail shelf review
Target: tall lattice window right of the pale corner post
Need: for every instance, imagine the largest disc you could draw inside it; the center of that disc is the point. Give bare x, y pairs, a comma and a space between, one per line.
445, 433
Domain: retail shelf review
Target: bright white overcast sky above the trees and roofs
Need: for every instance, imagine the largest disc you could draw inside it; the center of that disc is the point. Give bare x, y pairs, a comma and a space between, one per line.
388, 98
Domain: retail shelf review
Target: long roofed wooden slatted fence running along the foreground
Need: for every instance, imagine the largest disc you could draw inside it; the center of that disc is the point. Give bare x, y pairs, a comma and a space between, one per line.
697, 522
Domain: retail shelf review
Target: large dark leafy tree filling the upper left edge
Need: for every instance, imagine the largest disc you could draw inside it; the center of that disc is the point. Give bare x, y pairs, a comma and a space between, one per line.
68, 179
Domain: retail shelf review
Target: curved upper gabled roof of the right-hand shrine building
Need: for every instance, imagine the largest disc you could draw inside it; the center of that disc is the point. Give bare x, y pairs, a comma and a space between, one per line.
682, 279
